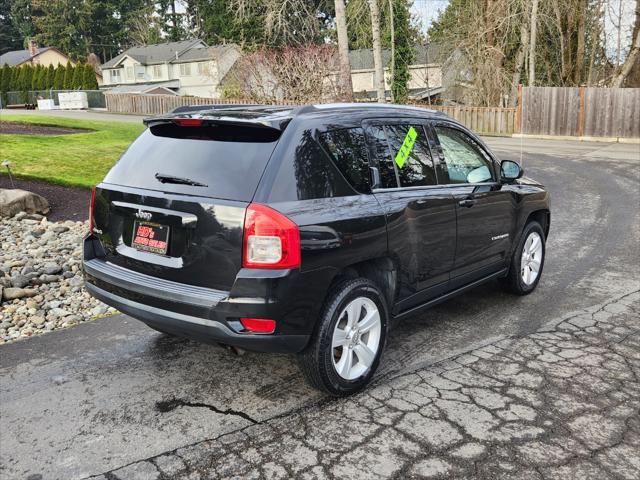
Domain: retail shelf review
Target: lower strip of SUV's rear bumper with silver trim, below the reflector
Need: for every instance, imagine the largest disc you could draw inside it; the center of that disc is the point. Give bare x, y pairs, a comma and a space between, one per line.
204, 330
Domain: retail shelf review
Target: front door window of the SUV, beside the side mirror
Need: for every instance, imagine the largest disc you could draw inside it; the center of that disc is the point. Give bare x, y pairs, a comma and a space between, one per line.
465, 161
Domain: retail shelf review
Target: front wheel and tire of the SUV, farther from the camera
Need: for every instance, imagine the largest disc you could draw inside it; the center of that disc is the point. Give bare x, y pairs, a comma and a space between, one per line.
521, 279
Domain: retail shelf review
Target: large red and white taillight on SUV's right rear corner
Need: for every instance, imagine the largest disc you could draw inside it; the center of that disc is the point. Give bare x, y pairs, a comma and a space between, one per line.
271, 240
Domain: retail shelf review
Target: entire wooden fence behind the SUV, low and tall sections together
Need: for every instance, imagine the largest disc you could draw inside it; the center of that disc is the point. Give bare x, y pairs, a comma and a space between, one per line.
556, 111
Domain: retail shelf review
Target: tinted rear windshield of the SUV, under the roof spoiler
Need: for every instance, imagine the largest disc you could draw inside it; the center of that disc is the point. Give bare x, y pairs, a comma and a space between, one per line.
227, 161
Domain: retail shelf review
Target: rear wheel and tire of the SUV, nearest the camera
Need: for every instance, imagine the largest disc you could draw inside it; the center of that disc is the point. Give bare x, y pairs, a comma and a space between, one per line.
327, 367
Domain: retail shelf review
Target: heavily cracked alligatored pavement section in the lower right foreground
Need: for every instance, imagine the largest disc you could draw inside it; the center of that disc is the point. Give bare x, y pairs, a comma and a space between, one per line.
560, 403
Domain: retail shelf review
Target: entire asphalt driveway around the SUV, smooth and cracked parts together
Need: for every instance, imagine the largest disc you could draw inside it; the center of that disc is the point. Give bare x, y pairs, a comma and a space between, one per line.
471, 388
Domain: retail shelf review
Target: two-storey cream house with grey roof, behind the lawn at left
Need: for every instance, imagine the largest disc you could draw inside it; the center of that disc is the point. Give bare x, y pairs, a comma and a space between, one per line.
189, 67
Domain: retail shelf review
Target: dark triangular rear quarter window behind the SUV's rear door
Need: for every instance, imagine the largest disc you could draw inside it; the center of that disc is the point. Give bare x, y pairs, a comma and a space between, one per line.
348, 150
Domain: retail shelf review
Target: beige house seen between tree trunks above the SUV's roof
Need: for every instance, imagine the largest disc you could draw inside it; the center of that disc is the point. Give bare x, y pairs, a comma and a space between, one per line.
425, 72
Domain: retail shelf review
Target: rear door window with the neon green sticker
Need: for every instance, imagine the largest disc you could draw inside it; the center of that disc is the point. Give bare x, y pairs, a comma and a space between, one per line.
411, 154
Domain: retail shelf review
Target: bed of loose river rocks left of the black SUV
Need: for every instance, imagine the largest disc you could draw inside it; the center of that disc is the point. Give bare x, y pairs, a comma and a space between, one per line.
41, 283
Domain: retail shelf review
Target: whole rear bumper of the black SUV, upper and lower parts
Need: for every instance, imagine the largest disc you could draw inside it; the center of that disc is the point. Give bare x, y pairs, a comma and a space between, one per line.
290, 297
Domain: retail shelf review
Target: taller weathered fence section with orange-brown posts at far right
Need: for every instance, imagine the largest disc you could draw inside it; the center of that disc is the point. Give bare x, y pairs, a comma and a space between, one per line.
588, 112
